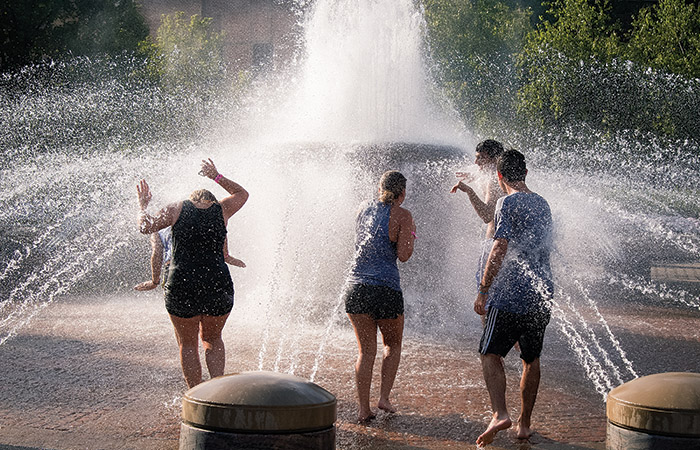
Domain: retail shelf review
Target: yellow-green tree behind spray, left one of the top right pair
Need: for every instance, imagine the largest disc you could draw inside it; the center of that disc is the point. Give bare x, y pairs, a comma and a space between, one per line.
556, 62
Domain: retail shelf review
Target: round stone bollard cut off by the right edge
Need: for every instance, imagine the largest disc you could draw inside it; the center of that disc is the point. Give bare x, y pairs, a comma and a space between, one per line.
655, 412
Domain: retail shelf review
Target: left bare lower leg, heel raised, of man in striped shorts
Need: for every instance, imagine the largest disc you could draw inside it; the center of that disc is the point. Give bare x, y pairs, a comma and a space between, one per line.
495, 377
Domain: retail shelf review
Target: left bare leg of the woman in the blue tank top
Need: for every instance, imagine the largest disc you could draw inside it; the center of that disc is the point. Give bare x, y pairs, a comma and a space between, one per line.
366, 334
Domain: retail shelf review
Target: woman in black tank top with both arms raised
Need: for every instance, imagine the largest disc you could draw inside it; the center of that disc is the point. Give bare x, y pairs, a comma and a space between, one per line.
198, 290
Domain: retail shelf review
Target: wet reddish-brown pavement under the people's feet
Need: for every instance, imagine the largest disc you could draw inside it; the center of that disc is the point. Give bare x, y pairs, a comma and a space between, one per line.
103, 373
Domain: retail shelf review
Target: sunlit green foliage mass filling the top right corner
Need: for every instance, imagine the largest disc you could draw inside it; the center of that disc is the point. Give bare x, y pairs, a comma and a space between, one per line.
574, 70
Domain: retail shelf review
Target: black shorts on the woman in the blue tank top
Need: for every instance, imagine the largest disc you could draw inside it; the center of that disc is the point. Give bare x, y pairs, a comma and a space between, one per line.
379, 302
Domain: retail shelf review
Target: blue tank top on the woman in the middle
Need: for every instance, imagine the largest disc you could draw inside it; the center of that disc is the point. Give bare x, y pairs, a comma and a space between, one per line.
375, 254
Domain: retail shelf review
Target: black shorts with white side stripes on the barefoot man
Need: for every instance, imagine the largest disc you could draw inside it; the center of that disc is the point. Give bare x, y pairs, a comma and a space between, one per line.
503, 329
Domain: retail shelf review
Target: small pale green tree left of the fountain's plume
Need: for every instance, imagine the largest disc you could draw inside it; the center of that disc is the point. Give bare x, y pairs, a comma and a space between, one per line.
186, 53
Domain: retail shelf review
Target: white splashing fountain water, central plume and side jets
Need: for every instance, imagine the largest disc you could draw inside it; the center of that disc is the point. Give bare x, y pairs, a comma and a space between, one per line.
359, 103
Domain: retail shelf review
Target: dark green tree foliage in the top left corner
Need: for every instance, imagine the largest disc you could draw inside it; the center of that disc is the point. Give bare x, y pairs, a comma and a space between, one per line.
34, 30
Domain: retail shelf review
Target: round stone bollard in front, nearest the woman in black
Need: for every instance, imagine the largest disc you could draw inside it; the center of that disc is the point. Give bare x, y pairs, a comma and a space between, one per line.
258, 410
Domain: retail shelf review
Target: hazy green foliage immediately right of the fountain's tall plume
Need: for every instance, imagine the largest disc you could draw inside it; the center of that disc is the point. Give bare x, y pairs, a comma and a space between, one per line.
473, 43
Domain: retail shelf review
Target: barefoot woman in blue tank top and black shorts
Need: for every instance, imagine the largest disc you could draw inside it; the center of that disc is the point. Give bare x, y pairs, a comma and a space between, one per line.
384, 232
